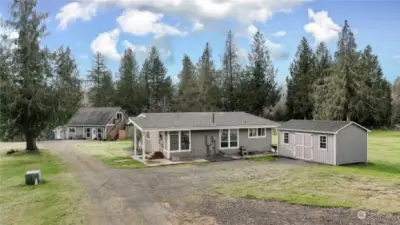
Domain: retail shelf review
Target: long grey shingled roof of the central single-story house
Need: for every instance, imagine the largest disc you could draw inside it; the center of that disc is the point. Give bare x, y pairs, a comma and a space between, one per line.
199, 120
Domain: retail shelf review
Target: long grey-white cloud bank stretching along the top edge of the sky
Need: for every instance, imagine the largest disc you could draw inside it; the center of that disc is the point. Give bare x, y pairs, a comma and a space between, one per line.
243, 11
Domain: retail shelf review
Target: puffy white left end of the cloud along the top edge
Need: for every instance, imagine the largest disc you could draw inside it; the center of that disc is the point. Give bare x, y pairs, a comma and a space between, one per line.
76, 11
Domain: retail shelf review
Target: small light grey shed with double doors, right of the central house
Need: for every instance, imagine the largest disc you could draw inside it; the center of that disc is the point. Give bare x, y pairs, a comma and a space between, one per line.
323, 141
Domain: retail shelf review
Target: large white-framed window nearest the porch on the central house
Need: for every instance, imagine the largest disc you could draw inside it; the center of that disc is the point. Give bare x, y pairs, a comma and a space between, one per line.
179, 141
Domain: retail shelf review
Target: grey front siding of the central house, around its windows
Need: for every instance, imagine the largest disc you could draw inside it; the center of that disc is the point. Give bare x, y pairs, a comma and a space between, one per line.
199, 147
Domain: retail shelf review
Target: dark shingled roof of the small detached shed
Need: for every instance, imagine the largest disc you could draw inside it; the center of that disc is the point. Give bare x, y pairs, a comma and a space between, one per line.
318, 126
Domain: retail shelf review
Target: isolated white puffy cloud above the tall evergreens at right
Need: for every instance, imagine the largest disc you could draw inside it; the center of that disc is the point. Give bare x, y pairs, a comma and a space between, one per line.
322, 27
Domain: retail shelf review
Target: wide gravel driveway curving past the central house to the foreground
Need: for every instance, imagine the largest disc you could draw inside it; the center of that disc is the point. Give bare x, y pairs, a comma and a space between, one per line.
176, 195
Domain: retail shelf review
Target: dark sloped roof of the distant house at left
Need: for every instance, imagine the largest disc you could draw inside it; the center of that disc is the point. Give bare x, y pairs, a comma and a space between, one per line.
93, 116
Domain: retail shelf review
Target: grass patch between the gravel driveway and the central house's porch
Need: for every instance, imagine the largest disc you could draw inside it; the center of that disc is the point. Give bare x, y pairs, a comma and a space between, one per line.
112, 153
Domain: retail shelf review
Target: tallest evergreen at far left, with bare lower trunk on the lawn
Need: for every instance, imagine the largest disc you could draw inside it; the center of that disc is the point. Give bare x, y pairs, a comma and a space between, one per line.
31, 103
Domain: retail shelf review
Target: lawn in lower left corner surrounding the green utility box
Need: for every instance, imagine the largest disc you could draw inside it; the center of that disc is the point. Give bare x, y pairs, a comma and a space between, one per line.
58, 200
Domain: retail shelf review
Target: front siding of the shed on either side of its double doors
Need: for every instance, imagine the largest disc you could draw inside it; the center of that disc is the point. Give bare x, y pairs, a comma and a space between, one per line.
318, 155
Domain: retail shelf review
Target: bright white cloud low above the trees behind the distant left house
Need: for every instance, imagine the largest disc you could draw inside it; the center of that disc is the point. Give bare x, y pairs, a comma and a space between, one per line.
106, 44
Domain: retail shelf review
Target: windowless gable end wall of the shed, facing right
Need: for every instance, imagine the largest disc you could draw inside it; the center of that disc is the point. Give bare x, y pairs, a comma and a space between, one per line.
352, 145
